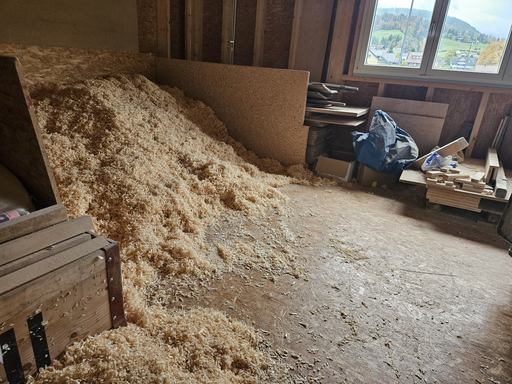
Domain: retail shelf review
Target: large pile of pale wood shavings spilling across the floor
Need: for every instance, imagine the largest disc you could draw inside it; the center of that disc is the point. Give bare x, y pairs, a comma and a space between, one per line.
154, 169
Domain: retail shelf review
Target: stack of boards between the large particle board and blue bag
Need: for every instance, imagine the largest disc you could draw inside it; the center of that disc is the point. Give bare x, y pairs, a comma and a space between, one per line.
322, 108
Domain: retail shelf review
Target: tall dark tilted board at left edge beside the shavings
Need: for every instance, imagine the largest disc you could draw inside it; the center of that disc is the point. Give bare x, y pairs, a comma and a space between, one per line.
21, 144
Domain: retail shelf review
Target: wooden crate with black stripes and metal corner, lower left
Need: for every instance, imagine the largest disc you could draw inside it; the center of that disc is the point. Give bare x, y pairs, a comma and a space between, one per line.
55, 295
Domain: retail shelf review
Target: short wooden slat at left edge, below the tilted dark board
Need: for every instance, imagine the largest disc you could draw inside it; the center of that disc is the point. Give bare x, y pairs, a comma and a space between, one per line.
36, 221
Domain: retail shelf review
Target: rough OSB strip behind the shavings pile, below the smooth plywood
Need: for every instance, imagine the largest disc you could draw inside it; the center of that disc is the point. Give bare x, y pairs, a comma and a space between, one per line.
64, 65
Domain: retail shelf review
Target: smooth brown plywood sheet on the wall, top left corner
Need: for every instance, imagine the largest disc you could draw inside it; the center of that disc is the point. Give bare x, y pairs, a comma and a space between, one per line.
92, 24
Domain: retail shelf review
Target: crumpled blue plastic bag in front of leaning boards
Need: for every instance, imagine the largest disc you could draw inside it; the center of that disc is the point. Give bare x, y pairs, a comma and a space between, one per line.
386, 148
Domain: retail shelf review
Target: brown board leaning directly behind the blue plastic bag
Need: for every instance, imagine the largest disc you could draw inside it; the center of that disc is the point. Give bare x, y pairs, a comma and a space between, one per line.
425, 130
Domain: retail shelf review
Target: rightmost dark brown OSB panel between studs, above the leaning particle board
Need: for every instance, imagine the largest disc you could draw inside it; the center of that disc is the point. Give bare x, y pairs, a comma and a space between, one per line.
278, 34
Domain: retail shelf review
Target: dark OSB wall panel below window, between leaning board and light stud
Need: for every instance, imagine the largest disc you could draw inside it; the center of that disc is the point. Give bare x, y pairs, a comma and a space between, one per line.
462, 110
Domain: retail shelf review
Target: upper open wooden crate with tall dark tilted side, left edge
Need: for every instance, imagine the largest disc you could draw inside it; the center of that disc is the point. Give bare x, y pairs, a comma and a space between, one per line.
22, 152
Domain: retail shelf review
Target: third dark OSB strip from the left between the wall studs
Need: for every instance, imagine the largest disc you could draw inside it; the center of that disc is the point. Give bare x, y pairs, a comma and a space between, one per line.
212, 30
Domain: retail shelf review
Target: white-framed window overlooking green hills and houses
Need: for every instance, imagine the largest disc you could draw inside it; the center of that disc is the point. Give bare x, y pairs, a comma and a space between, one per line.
441, 40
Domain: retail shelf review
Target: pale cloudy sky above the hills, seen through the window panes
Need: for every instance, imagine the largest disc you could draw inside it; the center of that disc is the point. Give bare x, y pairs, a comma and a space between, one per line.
488, 16
